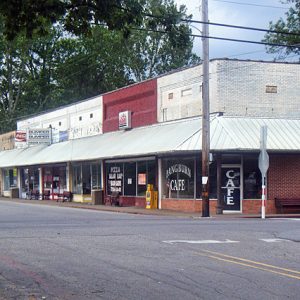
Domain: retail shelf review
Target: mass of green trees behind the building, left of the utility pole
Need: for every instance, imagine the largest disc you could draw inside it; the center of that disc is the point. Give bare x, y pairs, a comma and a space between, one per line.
54, 67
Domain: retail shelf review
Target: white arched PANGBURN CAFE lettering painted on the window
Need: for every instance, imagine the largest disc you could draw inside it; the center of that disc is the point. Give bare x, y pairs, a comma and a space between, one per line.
177, 183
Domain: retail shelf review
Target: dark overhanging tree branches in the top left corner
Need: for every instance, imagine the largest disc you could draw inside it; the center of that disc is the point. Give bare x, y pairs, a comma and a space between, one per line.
76, 15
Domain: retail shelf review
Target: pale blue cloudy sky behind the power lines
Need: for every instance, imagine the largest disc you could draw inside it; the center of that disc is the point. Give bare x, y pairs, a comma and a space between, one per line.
249, 13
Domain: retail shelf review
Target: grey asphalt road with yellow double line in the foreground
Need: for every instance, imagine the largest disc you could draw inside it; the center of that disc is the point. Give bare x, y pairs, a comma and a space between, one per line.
49, 252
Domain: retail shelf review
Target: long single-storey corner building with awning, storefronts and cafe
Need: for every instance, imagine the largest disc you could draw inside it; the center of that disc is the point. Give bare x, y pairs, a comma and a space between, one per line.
160, 145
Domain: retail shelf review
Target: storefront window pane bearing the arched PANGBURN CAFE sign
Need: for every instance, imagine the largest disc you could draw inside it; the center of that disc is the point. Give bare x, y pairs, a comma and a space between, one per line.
178, 178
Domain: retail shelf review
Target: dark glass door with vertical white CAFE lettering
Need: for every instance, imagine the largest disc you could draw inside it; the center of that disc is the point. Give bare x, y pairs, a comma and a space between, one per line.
231, 188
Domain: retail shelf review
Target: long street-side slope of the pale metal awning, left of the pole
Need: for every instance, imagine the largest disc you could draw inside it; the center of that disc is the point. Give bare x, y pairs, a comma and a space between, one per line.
160, 138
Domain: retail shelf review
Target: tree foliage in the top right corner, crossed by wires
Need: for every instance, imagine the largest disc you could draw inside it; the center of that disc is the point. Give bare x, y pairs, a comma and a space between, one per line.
289, 25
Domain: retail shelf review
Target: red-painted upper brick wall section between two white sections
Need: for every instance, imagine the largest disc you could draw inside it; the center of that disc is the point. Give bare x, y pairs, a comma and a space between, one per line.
140, 99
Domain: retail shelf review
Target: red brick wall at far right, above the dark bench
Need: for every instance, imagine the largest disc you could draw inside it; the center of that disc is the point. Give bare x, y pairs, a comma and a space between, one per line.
284, 176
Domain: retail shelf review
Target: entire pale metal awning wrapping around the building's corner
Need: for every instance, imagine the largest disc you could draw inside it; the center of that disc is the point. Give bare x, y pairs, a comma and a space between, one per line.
227, 134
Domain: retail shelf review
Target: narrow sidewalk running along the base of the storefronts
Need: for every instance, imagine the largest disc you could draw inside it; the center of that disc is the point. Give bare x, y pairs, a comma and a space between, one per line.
141, 211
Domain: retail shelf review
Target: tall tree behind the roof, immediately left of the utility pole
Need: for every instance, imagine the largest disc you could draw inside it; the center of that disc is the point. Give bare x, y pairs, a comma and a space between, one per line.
151, 51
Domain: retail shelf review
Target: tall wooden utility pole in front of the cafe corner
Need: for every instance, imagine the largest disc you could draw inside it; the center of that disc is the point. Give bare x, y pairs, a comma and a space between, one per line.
205, 112
